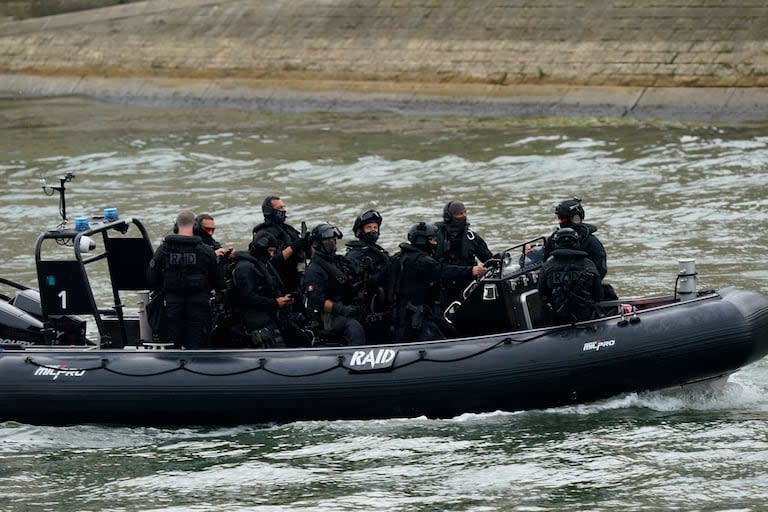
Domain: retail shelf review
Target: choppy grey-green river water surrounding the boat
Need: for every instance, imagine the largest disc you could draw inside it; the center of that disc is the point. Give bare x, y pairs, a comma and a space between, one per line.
656, 192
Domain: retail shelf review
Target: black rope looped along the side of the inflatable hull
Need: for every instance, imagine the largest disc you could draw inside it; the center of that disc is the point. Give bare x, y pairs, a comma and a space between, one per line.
262, 366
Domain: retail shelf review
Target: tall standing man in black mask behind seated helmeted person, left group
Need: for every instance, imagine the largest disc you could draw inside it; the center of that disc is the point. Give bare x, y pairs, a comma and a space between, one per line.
290, 258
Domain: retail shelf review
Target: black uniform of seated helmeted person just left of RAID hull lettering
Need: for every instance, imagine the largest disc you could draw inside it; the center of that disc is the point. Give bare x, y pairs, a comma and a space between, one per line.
333, 278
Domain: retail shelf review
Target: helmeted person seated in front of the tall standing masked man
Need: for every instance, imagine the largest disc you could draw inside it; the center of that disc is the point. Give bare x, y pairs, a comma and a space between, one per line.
259, 298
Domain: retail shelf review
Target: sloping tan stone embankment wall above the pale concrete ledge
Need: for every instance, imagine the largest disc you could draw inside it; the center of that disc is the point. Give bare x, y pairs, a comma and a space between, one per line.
645, 43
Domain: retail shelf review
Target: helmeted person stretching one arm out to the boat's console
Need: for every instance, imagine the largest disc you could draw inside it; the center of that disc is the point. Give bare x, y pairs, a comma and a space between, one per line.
417, 284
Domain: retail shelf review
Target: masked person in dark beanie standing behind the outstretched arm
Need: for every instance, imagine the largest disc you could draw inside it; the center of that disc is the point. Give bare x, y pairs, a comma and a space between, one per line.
457, 245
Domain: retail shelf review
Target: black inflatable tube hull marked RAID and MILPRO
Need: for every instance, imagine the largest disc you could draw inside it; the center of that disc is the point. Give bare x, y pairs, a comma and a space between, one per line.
663, 347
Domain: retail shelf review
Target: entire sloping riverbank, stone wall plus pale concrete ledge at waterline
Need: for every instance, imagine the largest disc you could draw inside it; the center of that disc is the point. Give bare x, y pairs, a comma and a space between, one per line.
529, 57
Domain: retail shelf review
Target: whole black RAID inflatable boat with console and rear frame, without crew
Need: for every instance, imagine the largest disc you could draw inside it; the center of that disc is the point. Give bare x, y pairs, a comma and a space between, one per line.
51, 373
